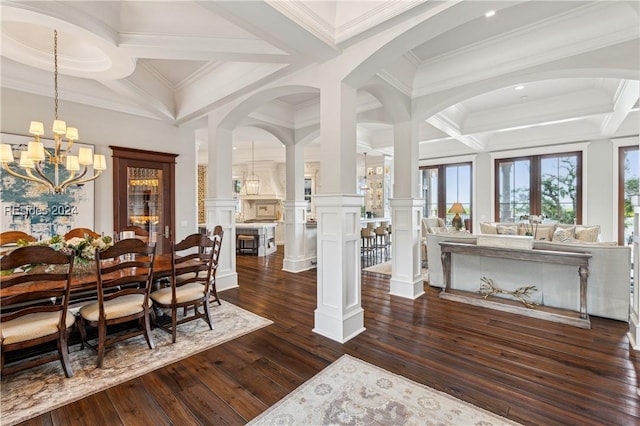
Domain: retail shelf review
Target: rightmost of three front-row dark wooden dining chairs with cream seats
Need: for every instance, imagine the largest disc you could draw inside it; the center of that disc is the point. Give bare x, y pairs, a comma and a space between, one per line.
194, 261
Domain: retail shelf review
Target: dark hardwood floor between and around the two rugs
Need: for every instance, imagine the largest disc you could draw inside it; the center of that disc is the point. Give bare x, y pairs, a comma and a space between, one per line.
532, 371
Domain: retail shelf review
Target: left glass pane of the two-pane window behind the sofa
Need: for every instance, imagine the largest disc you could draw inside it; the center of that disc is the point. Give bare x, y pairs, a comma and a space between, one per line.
514, 189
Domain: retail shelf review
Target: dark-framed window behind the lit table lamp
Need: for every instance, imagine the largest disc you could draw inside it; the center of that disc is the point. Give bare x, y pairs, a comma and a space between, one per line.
444, 185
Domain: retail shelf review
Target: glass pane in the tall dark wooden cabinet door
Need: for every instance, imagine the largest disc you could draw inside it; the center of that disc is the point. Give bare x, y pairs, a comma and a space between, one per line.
144, 199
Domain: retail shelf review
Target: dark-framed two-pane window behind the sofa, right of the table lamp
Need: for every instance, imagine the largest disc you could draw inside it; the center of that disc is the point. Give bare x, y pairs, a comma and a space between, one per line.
547, 185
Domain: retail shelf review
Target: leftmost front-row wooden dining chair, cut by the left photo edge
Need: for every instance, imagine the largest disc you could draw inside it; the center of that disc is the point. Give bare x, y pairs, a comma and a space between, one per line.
35, 317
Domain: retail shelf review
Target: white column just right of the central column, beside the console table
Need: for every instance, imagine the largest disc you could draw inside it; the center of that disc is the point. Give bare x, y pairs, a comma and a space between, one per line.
406, 212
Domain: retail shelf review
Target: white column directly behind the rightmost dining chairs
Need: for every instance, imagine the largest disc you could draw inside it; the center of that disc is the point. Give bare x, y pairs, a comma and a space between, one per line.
219, 204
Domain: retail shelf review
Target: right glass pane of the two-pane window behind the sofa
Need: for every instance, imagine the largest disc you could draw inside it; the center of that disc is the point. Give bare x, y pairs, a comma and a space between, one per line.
558, 188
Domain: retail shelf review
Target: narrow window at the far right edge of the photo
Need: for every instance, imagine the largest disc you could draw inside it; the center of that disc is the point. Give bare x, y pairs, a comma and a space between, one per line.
628, 163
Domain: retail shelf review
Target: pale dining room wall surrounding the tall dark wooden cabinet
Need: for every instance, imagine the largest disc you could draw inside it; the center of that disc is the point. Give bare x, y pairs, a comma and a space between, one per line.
101, 127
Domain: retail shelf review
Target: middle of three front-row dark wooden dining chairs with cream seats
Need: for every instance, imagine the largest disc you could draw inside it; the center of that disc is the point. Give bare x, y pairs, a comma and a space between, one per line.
125, 272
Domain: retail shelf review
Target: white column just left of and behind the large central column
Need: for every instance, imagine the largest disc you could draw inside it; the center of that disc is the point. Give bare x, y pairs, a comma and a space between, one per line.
296, 256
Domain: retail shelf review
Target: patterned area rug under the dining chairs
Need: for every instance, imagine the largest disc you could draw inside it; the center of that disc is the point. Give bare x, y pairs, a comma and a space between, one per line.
41, 389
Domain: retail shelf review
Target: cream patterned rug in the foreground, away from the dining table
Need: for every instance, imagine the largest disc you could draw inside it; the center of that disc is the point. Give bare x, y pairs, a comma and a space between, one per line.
353, 392
